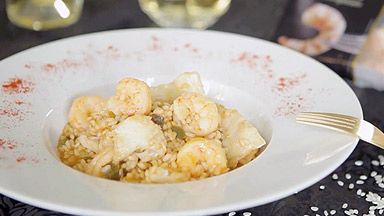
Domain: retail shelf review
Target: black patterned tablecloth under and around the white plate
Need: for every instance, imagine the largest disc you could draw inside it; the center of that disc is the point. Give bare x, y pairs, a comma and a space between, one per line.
257, 18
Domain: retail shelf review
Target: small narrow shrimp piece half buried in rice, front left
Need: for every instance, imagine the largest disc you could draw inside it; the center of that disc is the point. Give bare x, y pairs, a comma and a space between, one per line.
99, 161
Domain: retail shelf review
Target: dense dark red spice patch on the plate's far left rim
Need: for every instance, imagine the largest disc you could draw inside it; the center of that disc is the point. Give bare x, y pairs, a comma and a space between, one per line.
17, 85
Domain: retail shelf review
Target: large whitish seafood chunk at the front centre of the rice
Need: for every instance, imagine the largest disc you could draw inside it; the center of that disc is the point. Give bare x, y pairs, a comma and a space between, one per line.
138, 134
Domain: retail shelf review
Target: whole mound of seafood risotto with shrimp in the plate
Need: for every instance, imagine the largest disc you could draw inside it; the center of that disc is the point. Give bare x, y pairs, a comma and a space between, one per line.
176, 140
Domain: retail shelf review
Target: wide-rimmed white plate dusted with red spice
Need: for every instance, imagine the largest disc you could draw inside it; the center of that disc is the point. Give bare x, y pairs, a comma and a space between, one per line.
267, 83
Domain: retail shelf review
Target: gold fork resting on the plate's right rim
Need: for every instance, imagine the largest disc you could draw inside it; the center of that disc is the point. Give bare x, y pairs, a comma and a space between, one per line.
347, 124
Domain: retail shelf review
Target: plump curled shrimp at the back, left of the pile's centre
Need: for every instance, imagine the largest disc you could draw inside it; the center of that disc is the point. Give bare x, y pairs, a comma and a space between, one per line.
132, 96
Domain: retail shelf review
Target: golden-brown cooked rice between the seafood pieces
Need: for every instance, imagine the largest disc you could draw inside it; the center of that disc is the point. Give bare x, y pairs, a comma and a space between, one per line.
78, 153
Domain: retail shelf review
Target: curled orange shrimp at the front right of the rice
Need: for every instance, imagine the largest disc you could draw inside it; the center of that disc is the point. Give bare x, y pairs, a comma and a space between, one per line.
208, 153
